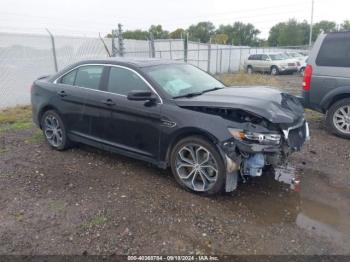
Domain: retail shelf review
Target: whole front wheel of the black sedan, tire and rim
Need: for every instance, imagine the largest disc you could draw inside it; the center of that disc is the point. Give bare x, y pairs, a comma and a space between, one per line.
202, 171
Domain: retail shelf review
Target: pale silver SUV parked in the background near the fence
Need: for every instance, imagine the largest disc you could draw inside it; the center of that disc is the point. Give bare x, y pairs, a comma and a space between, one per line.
274, 64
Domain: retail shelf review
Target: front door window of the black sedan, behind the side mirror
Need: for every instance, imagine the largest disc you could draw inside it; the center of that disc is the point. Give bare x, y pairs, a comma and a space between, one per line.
122, 81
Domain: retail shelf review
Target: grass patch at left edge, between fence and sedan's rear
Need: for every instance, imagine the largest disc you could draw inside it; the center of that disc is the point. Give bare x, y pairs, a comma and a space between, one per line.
16, 118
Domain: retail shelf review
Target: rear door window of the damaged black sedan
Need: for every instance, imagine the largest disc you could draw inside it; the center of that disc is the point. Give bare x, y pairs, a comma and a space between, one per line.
89, 76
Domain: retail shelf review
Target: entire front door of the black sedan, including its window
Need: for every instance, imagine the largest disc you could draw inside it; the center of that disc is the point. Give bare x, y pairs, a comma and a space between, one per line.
130, 125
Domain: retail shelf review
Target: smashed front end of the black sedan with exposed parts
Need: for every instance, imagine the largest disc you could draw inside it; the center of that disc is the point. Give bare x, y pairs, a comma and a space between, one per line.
254, 147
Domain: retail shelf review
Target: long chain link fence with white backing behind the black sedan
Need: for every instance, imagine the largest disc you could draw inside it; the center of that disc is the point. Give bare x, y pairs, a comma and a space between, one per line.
23, 57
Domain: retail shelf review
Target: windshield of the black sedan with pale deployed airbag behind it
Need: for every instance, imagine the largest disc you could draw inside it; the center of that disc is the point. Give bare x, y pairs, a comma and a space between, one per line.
182, 79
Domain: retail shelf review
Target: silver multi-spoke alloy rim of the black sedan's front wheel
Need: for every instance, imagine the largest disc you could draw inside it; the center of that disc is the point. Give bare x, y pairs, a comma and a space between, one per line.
196, 167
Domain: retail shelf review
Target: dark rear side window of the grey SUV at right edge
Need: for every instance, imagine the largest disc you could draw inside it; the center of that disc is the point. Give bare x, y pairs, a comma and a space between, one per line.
335, 51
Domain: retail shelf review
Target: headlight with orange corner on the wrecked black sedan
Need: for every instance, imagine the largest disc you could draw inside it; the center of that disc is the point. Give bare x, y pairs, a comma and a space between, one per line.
261, 138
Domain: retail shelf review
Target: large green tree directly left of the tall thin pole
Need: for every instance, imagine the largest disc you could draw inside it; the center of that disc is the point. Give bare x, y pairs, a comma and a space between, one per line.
289, 33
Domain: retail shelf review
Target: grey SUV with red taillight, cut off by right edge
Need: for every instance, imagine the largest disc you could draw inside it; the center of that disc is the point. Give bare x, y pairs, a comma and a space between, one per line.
326, 85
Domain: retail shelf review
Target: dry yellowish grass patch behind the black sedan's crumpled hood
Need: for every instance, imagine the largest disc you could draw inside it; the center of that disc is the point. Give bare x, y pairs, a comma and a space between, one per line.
243, 79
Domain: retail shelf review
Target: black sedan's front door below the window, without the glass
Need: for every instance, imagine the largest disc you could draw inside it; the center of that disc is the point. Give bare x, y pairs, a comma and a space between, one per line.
132, 125
